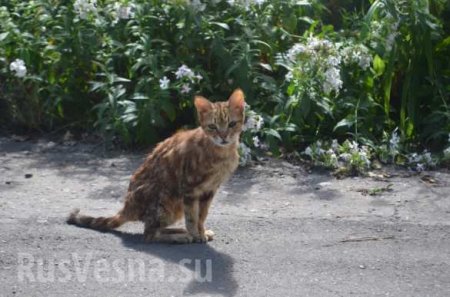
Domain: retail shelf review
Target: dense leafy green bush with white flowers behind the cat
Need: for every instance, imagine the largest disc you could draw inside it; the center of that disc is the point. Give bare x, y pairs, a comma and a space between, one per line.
130, 68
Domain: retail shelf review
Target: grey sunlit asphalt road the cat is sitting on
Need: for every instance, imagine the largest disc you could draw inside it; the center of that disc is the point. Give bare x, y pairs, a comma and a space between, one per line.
280, 231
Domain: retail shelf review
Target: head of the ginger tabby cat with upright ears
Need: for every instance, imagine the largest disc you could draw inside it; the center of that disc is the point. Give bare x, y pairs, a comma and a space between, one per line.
222, 121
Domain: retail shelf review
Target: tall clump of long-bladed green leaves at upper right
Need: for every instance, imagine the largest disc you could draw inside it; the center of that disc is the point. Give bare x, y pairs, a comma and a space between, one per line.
404, 34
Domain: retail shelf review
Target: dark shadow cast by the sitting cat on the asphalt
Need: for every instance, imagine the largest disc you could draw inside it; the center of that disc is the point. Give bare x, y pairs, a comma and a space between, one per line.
199, 258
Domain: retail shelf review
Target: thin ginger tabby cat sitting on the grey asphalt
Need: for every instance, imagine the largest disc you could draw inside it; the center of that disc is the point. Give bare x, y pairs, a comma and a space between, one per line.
180, 177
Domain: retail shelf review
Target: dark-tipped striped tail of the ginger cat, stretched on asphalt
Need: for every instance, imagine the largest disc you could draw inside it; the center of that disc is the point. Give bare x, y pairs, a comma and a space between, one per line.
99, 223
